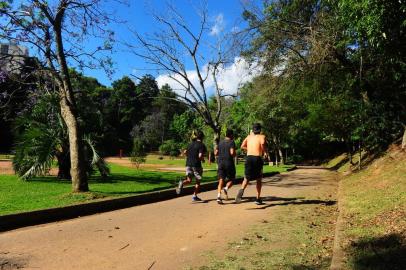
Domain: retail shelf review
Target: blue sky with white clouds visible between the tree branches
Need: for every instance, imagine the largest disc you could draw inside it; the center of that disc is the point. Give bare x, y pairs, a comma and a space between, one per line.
224, 16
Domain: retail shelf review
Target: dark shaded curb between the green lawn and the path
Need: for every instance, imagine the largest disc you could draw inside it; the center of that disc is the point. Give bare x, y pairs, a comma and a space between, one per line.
37, 217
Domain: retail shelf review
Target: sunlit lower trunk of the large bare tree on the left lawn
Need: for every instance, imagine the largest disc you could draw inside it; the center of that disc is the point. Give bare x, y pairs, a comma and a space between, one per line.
77, 171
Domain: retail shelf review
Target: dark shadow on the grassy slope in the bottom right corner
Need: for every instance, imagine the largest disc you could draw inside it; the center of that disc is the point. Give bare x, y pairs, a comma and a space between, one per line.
387, 252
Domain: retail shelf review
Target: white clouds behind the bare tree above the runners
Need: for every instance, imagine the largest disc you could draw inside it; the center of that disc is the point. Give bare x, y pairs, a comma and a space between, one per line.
230, 78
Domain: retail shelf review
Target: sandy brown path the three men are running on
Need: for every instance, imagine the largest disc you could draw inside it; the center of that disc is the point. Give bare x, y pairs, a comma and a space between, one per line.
165, 235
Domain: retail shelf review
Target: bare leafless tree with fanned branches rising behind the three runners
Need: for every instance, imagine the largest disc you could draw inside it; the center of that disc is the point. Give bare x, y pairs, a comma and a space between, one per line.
186, 56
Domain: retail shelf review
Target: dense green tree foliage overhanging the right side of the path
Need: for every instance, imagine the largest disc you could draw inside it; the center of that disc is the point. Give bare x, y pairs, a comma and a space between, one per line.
333, 74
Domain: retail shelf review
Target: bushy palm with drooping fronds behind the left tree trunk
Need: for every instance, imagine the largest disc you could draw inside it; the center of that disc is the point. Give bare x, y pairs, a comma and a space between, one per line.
43, 138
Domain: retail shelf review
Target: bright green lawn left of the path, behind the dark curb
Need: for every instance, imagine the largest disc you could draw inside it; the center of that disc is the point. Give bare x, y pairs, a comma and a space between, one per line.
46, 192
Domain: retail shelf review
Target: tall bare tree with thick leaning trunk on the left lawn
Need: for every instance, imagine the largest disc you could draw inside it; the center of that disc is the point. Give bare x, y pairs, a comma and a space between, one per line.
57, 31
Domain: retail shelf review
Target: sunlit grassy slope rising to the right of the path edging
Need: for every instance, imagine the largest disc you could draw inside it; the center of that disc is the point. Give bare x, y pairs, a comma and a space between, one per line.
374, 211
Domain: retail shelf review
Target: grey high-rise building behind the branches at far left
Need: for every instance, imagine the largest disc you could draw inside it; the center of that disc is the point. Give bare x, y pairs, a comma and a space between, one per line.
12, 57
